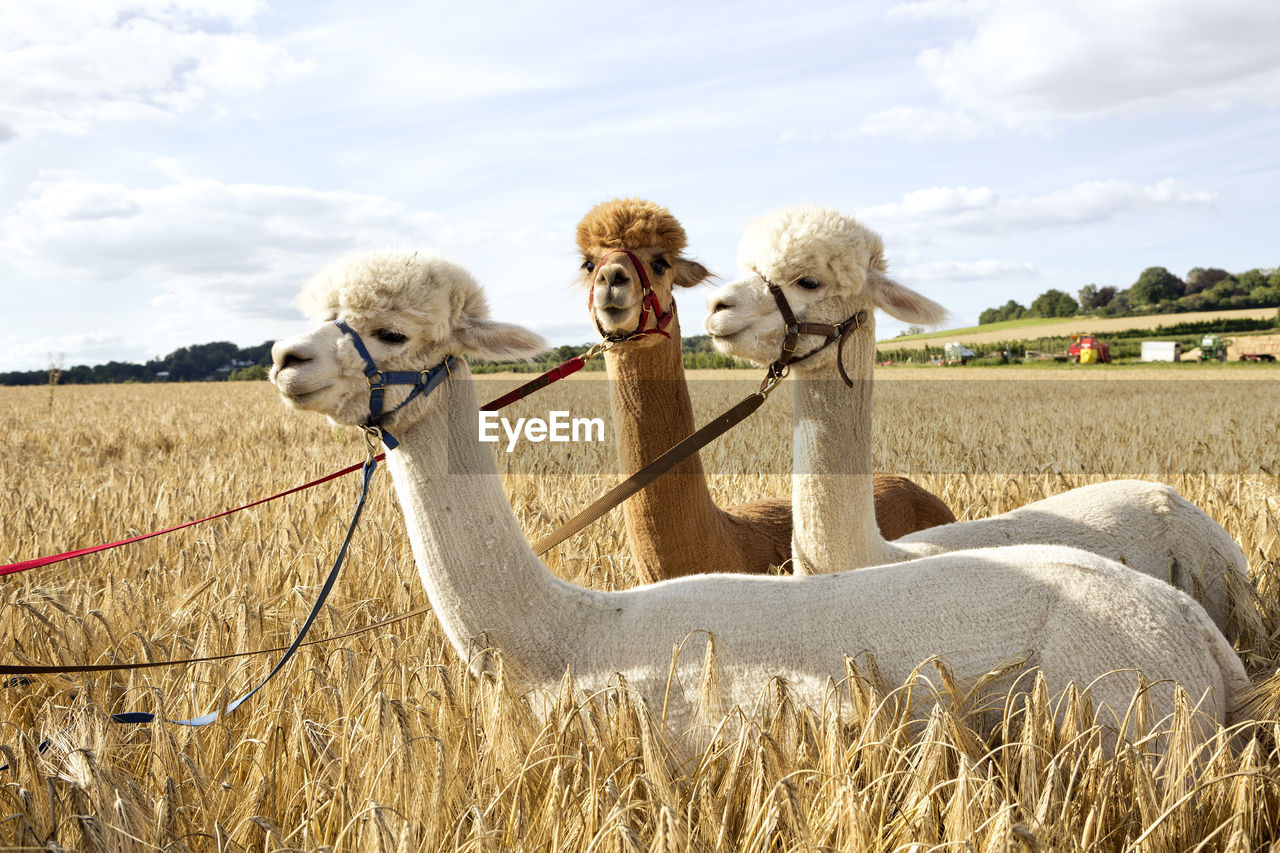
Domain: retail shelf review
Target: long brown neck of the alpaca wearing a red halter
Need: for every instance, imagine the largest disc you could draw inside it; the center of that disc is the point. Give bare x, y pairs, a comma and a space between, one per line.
674, 527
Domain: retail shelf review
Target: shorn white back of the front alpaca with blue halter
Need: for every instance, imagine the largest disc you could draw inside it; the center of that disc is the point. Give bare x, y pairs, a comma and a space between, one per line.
1078, 618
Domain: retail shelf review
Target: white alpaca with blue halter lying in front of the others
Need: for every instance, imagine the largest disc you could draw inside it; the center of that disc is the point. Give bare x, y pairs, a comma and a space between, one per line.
1073, 614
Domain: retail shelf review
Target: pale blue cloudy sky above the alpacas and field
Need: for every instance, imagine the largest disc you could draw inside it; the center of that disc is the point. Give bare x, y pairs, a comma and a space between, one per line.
172, 171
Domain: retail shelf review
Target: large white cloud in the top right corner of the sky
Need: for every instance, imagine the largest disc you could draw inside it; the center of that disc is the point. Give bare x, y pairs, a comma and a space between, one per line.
1034, 65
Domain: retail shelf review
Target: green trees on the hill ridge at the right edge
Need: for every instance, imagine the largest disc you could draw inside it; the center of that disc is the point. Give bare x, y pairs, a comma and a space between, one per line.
1158, 291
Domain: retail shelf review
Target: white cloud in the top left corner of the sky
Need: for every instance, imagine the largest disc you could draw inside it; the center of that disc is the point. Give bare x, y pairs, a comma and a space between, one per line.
71, 66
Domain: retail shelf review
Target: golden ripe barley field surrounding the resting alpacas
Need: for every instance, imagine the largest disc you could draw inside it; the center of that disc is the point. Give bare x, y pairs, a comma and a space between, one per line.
382, 742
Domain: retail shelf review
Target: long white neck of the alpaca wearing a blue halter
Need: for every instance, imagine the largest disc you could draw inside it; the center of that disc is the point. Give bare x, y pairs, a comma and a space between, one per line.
487, 587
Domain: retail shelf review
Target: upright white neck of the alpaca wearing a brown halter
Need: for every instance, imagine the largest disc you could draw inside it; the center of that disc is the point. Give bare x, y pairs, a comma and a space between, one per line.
833, 494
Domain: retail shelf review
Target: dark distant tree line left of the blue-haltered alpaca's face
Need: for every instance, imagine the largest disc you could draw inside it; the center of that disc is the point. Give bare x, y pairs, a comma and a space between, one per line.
200, 363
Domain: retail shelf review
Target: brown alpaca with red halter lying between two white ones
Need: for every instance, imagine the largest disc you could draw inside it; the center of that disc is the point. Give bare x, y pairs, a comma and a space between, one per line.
674, 527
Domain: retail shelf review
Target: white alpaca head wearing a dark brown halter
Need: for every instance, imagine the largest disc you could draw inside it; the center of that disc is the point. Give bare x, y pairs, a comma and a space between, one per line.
829, 266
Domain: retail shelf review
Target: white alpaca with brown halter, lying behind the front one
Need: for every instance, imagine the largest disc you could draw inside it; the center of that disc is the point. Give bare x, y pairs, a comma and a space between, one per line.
830, 268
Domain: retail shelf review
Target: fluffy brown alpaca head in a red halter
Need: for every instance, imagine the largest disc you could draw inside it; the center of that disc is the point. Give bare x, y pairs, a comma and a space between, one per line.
657, 239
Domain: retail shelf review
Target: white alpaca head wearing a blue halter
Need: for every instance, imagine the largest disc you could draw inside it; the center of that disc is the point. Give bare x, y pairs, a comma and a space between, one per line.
410, 309
